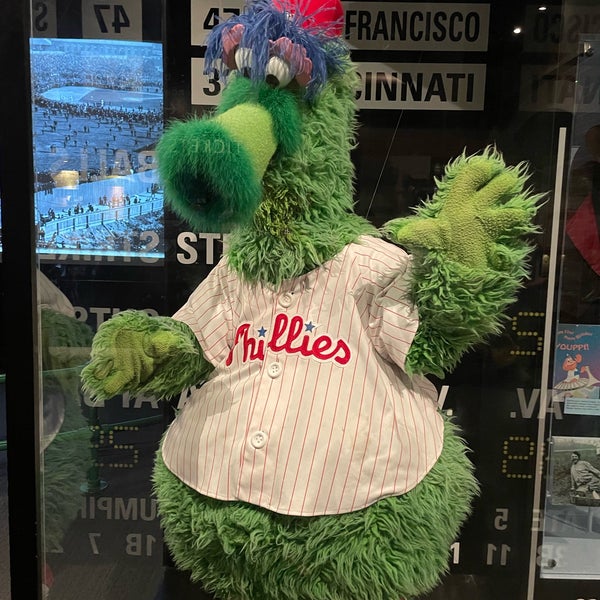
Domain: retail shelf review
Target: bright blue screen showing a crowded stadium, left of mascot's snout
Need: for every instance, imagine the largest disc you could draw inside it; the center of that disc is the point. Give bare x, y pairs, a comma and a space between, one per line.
97, 109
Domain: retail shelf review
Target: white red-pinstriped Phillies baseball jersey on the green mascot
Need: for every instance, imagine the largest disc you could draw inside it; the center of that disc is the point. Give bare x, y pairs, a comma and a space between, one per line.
308, 410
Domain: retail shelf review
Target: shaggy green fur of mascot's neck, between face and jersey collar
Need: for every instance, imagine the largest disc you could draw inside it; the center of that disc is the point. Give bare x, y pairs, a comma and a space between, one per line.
306, 216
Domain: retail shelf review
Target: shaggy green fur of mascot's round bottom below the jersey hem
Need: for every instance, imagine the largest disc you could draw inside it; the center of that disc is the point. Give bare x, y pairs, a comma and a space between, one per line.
397, 548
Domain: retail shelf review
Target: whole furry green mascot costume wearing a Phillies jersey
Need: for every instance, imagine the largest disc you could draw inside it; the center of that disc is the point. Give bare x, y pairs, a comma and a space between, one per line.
309, 460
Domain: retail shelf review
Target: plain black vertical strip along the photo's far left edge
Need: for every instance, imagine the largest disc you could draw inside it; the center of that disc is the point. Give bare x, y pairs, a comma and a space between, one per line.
19, 473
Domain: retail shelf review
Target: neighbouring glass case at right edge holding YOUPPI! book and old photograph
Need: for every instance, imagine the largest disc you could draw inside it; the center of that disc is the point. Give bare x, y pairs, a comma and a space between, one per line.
571, 542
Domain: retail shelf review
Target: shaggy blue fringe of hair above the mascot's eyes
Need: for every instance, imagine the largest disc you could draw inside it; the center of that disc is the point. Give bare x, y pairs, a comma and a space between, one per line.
263, 22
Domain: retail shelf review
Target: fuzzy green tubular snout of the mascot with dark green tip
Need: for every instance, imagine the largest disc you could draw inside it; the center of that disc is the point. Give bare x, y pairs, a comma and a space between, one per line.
212, 167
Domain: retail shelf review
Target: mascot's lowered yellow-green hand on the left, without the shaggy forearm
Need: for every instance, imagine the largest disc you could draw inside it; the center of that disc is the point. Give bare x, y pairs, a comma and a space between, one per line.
126, 352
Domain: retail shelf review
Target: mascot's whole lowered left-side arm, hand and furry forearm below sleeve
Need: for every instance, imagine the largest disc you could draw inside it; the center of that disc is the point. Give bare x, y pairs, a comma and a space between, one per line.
134, 352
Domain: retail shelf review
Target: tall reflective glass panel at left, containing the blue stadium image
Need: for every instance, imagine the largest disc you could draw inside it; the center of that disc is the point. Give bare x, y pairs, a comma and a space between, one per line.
97, 112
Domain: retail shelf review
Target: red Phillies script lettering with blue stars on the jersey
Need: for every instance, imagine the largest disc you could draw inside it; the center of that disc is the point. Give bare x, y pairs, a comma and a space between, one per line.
289, 335
